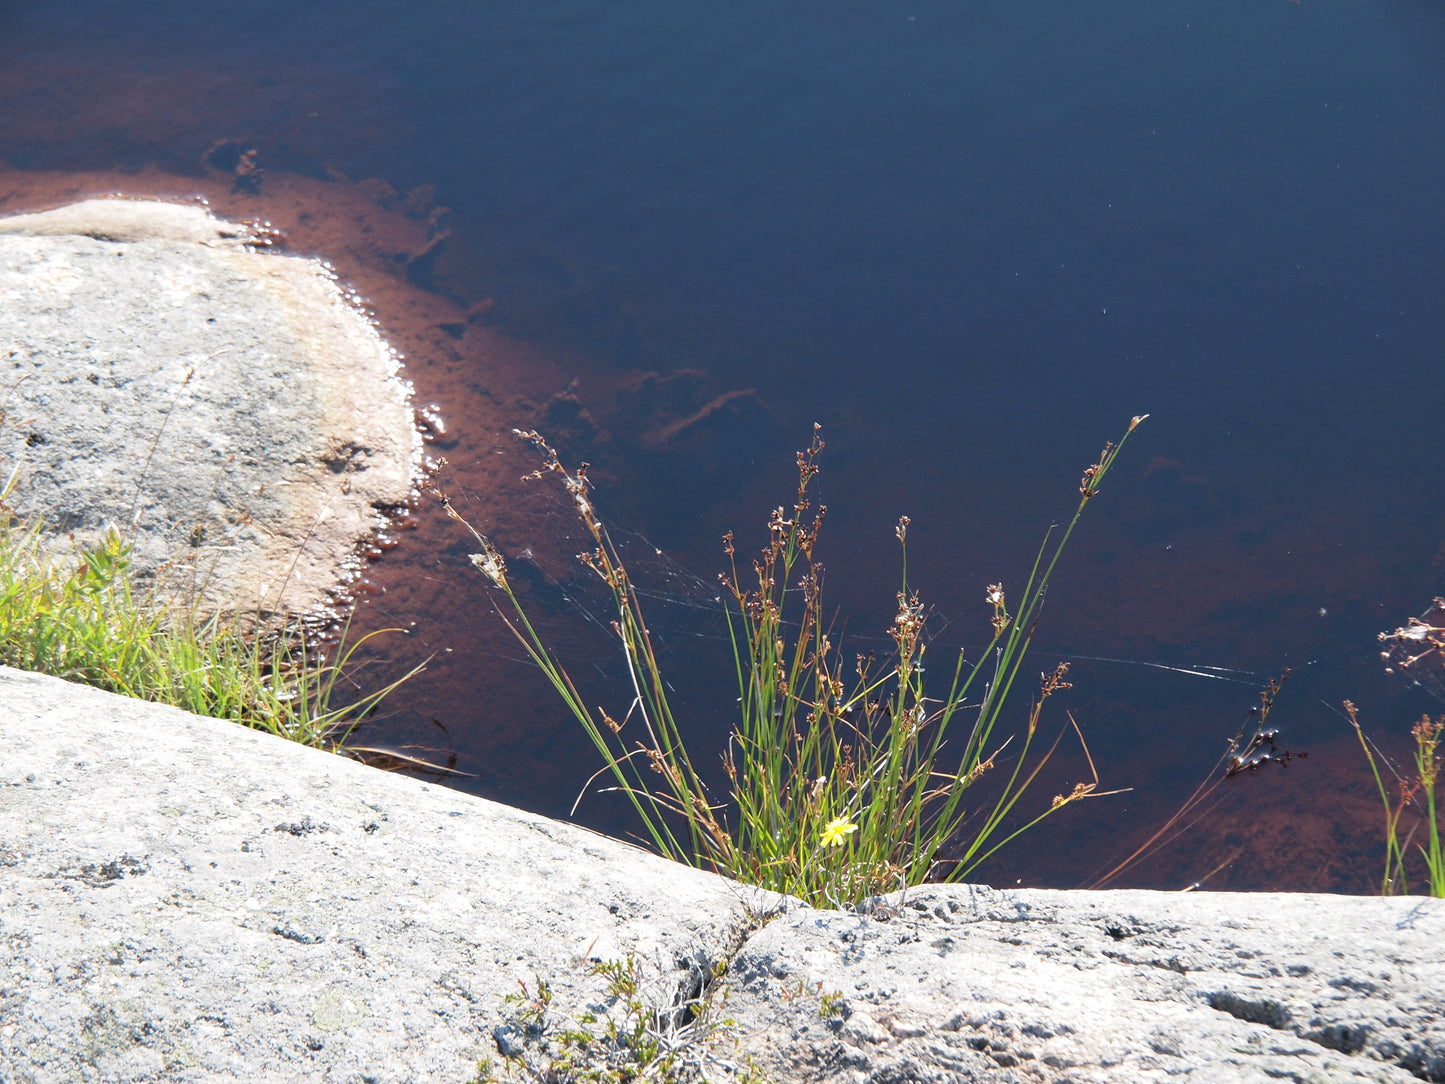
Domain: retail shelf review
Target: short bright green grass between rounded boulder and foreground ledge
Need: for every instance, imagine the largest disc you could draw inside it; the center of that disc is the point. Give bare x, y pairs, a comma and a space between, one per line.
85, 621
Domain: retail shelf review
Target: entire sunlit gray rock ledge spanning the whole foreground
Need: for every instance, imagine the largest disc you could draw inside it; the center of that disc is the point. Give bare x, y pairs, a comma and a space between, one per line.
186, 900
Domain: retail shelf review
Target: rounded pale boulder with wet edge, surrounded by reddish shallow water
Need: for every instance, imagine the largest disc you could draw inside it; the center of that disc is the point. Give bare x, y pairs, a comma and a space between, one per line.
229, 410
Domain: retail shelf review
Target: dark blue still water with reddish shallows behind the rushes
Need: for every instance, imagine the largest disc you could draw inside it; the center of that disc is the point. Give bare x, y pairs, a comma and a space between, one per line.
969, 239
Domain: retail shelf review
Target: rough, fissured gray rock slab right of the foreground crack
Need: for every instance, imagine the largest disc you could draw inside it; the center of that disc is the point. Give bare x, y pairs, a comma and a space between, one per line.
1102, 986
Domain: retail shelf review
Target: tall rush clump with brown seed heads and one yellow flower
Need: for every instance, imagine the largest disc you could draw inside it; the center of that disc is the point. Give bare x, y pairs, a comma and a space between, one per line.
843, 783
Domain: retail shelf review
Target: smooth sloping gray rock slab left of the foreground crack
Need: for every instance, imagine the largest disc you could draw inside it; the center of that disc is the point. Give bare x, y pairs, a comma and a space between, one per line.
187, 900
